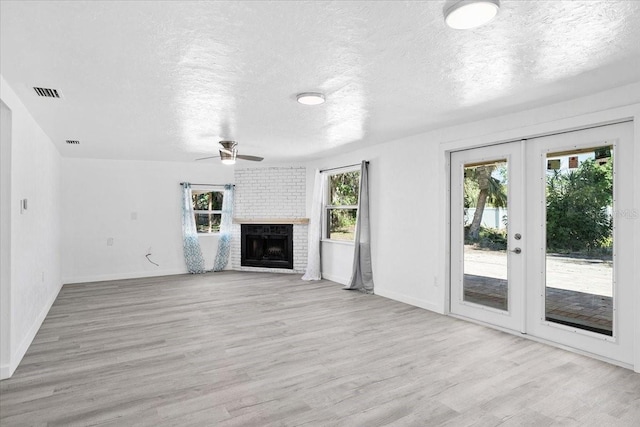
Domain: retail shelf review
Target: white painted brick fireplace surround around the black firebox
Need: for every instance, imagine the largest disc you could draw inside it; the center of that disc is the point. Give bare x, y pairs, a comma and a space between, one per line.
266, 196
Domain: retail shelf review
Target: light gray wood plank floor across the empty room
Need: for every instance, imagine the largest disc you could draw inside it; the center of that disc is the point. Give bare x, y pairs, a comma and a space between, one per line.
254, 349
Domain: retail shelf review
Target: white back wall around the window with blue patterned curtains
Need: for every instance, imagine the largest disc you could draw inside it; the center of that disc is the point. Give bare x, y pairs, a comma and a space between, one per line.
101, 198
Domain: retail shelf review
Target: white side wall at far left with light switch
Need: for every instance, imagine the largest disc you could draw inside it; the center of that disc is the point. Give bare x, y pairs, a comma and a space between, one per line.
35, 277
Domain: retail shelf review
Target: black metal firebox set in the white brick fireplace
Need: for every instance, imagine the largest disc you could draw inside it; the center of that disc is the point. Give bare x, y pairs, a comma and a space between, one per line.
267, 245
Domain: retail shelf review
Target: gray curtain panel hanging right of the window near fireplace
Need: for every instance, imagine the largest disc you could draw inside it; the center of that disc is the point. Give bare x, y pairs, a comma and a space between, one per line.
362, 274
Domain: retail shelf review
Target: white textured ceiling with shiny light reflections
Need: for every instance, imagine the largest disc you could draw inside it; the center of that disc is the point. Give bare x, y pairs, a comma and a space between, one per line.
166, 80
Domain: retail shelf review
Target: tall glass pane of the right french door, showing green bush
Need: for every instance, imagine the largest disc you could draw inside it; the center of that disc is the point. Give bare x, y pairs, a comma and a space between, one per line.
579, 224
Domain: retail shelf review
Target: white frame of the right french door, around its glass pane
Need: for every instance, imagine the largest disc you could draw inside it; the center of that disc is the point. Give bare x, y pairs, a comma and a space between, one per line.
620, 345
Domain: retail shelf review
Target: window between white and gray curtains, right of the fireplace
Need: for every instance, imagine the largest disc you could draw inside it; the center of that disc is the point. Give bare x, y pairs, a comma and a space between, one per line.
341, 205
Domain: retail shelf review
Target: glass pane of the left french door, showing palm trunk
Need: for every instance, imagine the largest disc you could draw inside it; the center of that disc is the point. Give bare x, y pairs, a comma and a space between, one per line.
485, 234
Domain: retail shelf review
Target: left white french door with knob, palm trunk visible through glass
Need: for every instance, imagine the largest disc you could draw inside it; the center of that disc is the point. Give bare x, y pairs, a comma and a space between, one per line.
487, 206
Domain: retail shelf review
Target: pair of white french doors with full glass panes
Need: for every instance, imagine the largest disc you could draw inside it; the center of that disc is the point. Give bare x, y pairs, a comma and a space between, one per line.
541, 238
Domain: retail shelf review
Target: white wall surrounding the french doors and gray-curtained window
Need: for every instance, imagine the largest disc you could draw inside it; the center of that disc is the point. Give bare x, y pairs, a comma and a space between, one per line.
408, 192
